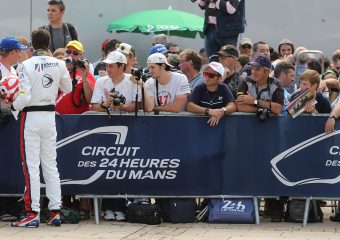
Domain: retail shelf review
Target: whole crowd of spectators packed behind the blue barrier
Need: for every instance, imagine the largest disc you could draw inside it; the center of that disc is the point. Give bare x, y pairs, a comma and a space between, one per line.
233, 75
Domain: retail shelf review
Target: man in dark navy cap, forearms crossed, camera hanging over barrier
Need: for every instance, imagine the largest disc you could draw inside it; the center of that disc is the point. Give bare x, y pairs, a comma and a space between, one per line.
260, 92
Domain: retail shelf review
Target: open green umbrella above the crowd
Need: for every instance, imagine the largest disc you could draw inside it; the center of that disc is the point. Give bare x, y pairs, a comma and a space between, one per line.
170, 22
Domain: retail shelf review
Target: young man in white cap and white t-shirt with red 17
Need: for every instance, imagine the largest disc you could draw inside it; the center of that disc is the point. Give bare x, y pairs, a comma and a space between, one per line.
166, 91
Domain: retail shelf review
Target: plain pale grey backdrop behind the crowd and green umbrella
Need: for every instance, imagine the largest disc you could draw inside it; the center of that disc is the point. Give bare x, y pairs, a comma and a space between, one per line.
309, 23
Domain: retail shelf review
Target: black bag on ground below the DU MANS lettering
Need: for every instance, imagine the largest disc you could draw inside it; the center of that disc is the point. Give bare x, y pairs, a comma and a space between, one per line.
143, 213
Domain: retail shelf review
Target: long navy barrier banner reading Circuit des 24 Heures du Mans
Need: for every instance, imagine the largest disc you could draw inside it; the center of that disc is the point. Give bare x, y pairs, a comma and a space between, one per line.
182, 156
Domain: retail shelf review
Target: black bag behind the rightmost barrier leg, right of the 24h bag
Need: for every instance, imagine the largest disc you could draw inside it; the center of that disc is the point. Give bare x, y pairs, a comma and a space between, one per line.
296, 210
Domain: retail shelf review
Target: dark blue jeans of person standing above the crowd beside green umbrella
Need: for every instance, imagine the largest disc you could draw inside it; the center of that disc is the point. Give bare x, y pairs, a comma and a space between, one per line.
213, 44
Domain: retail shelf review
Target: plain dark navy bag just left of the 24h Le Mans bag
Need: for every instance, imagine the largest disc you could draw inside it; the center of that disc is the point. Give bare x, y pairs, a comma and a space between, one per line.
179, 210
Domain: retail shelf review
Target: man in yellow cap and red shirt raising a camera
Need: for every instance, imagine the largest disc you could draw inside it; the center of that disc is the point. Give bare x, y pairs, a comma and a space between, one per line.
83, 82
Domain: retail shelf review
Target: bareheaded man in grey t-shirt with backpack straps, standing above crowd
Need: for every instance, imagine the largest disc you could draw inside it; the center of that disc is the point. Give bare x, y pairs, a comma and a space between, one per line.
61, 33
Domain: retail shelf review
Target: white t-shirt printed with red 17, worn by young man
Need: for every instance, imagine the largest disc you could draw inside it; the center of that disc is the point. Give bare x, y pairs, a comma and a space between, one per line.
178, 85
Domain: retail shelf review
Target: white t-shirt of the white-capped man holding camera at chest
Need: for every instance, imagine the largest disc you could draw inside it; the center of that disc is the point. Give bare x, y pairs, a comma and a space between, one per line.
126, 87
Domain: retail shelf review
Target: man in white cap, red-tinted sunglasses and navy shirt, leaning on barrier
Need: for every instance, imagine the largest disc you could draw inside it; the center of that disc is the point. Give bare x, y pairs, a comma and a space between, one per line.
212, 98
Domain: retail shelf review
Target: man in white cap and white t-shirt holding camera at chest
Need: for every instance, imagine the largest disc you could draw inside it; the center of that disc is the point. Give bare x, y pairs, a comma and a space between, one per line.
115, 91
